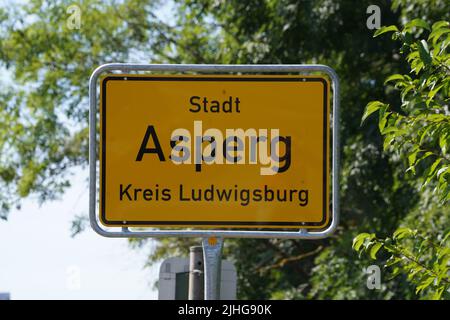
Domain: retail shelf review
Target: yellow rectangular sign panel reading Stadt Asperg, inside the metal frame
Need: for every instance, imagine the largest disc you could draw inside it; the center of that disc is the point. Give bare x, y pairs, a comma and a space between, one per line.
215, 151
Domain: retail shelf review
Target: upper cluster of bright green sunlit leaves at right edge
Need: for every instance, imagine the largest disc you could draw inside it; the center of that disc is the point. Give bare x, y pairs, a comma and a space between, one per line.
420, 126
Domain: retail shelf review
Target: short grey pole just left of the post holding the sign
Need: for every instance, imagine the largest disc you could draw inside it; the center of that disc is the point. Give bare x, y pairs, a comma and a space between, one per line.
196, 273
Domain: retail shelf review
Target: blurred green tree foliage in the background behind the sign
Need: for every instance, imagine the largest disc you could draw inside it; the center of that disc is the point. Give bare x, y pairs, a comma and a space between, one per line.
44, 115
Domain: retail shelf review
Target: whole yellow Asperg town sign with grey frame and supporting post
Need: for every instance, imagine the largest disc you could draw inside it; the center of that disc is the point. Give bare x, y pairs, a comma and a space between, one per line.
140, 196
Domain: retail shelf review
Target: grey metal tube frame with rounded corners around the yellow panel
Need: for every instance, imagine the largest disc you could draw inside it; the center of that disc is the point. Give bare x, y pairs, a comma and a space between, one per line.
223, 69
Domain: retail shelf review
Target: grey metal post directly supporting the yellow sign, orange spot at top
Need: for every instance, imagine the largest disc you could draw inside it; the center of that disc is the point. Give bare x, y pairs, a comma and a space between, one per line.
212, 256
